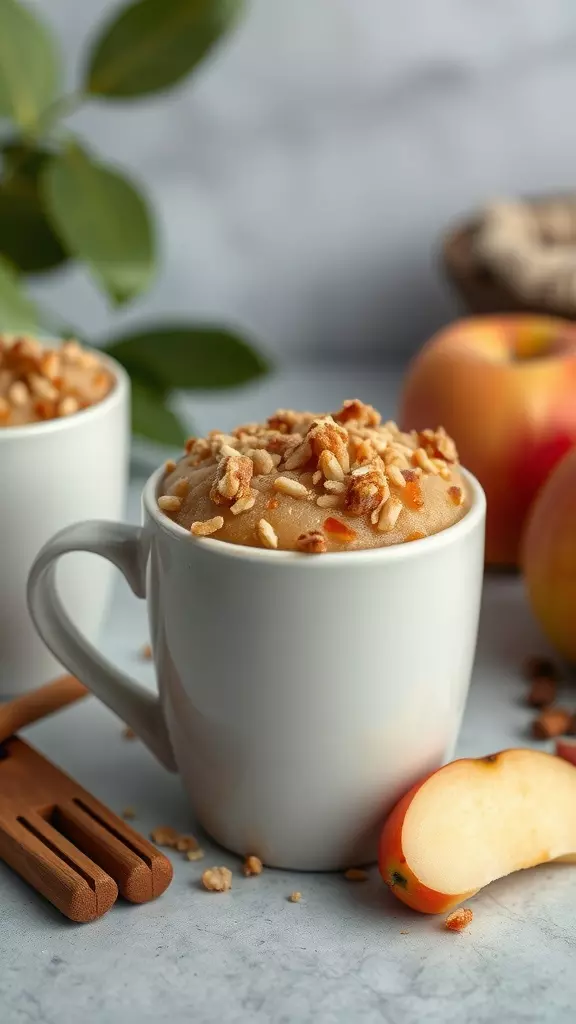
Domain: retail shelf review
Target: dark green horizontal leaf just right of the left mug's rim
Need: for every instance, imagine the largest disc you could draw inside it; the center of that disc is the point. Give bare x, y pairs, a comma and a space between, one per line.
189, 358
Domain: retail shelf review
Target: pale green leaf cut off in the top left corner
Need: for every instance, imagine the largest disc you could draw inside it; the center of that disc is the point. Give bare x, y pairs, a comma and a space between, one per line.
29, 71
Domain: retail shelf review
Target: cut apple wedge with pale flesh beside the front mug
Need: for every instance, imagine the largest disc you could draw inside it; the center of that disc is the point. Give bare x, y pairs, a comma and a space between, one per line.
476, 821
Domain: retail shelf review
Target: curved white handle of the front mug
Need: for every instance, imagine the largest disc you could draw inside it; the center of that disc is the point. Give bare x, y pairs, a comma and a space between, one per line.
125, 546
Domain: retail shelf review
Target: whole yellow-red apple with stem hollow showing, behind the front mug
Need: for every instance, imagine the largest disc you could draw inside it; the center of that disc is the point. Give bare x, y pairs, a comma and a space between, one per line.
505, 389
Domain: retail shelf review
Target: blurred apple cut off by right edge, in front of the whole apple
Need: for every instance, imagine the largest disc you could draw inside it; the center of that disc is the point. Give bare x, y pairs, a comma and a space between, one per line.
549, 558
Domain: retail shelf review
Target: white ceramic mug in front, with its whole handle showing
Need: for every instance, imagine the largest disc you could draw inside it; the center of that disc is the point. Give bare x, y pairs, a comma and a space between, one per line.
300, 696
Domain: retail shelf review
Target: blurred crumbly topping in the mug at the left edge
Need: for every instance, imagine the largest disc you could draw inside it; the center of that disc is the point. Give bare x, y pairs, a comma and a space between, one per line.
39, 383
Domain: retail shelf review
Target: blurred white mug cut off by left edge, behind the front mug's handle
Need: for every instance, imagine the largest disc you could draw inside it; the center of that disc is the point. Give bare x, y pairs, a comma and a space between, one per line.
55, 474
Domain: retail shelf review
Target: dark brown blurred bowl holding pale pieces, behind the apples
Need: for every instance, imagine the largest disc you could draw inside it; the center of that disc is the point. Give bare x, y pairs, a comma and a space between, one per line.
480, 291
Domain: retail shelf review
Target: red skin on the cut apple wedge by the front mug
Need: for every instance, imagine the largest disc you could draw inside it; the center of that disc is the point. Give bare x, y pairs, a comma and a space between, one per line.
396, 873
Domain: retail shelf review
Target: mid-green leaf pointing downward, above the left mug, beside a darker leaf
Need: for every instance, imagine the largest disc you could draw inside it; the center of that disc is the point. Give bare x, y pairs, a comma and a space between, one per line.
103, 221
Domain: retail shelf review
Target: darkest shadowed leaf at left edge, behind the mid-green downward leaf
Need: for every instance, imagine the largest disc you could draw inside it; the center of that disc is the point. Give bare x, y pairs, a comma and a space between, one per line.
27, 238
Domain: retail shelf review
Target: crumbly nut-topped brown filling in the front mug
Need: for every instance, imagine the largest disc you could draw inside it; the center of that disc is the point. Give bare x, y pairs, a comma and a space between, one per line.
317, 483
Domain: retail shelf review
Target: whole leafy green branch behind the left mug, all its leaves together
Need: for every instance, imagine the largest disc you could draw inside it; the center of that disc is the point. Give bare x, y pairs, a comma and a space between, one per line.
59, 203
